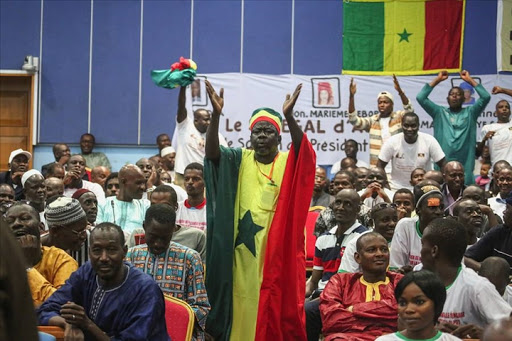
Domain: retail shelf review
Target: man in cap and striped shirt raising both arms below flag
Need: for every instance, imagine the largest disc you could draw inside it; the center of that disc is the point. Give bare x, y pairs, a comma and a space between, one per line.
383, 125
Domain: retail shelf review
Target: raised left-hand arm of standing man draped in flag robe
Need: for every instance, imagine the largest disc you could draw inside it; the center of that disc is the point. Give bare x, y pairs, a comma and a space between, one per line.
212, 149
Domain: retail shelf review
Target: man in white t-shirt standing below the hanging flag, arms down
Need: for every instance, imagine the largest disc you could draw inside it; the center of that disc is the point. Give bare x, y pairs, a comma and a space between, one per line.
409, 150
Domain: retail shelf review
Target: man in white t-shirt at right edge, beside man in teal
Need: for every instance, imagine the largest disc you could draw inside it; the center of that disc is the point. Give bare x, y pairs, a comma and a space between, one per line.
497, 136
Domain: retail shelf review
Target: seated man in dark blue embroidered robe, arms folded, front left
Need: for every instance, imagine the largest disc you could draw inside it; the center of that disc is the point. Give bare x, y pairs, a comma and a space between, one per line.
107, 299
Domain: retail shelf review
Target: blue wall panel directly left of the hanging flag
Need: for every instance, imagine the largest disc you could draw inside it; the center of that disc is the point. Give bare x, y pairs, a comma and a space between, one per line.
318, 37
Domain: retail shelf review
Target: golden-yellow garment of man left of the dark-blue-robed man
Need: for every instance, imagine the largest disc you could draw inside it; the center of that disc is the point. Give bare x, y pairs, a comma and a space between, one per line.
50, 273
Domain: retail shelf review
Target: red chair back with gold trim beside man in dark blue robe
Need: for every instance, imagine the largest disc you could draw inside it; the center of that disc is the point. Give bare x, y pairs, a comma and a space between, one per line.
179, 318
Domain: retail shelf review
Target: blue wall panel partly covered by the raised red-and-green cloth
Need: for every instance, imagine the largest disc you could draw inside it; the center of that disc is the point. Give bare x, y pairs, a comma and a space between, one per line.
162, 45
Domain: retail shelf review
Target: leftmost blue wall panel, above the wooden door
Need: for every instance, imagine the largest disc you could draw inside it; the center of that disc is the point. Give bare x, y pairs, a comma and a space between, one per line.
19, 32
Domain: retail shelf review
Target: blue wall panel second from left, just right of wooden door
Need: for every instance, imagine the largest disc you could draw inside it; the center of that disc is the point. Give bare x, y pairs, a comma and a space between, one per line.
65, 73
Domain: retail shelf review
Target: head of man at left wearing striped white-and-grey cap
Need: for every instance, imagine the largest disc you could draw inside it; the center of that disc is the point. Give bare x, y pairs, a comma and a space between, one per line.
67, 223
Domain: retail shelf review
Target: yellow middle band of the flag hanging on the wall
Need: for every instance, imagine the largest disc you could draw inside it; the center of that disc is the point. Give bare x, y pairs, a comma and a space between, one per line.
403, 55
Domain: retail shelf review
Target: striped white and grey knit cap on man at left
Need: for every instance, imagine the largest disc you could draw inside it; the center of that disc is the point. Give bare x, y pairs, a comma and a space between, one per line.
63, 211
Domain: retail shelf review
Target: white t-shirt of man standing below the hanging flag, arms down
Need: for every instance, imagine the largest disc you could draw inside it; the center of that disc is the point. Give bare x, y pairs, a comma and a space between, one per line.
405, 157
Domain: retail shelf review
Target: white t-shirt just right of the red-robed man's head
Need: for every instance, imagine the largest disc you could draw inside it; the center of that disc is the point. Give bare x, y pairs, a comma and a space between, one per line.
406, 244
